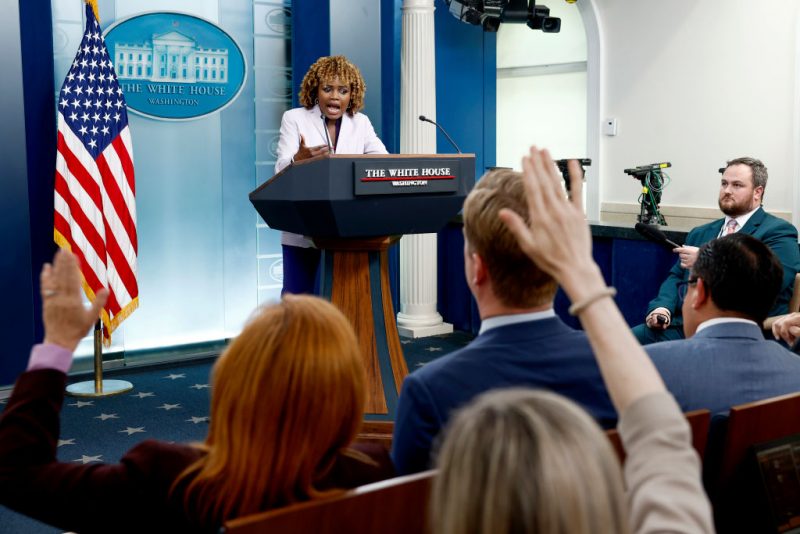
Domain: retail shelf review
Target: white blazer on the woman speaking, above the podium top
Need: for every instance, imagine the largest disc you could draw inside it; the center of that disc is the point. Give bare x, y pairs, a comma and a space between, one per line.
356, 136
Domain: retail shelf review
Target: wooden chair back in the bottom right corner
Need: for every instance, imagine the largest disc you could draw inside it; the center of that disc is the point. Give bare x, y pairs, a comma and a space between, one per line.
733, 481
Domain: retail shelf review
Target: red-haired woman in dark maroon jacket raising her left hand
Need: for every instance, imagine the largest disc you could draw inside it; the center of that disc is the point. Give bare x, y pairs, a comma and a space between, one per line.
286, 402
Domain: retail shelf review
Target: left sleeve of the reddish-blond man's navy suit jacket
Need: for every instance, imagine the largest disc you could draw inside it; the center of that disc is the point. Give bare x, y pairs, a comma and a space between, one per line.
415, 427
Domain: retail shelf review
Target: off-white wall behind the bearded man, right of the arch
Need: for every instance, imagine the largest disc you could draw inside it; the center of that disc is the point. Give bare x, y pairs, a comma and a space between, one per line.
695, 83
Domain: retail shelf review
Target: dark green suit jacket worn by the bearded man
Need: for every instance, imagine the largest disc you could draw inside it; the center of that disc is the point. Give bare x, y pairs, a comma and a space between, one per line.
777, 234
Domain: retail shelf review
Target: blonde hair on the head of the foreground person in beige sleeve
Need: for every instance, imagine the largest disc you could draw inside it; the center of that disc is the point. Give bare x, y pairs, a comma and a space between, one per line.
526, 450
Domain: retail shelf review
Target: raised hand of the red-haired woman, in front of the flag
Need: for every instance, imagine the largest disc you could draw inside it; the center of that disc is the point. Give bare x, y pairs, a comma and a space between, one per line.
66, 319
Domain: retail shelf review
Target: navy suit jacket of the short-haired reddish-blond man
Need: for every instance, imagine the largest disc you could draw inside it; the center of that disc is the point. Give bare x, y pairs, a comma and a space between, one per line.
545, 354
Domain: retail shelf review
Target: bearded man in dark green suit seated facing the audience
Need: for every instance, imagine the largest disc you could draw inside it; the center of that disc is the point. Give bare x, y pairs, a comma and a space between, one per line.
740, 196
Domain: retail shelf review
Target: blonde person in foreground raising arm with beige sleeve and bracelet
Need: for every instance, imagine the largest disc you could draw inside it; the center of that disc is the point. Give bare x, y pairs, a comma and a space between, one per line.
662, 471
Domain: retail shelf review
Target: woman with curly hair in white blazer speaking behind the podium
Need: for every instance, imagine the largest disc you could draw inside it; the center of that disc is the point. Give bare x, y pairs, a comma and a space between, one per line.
329, 121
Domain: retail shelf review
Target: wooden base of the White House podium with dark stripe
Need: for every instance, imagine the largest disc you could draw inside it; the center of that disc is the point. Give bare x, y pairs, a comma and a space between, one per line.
355, 277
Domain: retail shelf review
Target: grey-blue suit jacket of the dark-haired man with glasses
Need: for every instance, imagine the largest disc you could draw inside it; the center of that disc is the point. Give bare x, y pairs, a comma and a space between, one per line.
724, 365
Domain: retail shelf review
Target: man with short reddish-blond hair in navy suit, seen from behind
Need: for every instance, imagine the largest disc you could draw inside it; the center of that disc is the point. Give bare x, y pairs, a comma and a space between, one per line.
521, 341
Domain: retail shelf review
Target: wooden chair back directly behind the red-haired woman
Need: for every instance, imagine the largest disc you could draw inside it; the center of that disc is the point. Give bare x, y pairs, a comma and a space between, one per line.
394, 506
